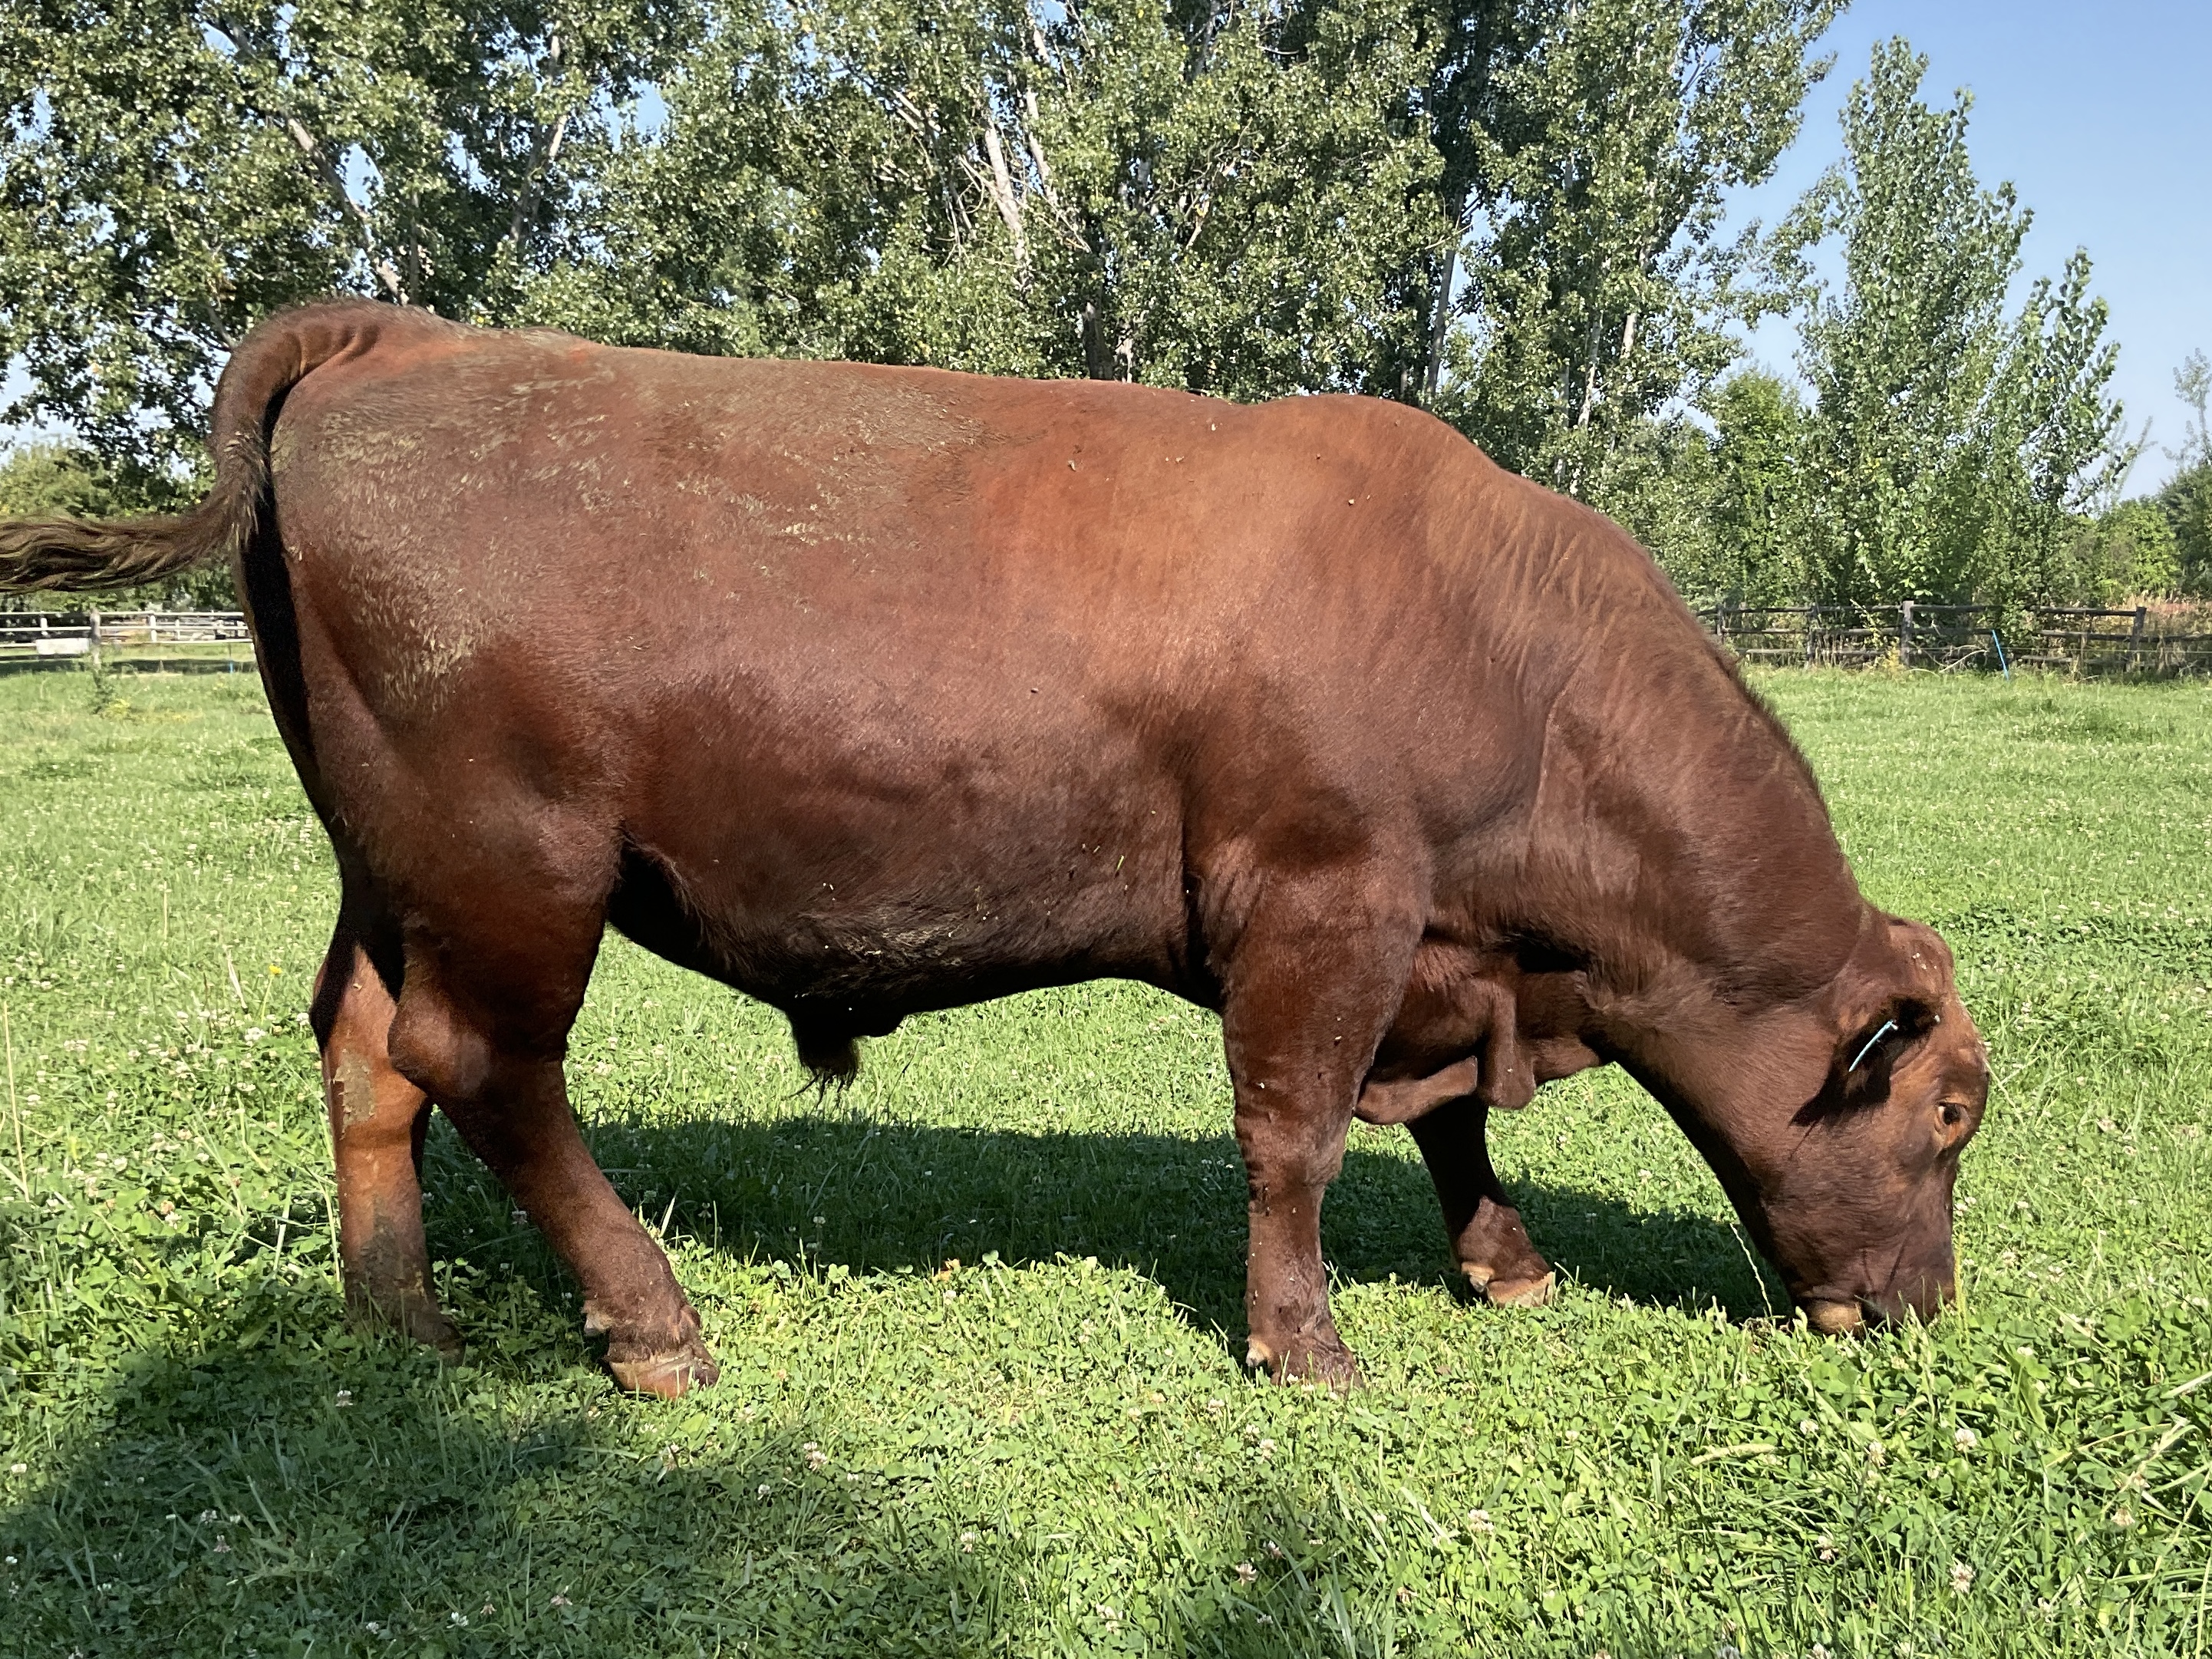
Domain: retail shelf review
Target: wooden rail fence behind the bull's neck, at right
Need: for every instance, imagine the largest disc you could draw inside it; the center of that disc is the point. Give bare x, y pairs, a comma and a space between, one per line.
1965, 636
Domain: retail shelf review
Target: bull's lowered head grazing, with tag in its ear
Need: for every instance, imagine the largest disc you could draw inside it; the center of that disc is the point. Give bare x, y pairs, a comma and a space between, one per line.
1837, 1127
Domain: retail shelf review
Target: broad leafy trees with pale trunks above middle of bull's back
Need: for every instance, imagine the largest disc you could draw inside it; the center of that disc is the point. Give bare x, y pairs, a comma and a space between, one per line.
1114, 189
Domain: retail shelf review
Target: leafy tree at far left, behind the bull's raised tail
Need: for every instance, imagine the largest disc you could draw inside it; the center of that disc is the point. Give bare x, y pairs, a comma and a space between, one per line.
171, 171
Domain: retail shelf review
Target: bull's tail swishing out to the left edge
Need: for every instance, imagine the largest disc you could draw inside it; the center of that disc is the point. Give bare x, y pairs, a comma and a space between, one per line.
83, 554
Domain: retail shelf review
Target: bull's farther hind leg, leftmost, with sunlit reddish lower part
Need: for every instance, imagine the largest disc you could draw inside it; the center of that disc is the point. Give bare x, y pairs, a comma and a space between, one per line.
377, 1123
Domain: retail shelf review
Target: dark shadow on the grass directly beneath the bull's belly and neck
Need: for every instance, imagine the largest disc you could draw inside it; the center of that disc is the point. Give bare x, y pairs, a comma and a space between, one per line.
881, 1198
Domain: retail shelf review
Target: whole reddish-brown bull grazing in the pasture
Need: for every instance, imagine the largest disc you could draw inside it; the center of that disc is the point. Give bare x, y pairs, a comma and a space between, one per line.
875, 691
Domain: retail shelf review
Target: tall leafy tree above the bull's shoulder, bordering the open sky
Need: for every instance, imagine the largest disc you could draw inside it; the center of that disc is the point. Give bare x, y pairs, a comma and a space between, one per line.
1587, 152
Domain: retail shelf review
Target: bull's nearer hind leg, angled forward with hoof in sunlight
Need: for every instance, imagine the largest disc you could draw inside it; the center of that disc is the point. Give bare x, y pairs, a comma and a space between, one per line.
483, 1025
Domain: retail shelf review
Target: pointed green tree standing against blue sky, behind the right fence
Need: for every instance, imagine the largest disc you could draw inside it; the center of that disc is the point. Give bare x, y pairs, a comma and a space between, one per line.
1948, 446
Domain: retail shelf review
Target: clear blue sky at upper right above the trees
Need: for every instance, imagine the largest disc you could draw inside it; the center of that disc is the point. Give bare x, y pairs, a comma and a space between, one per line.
2103, 121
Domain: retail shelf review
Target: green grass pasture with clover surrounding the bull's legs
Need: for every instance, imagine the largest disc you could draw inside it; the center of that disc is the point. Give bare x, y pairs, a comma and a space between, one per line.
979, 1319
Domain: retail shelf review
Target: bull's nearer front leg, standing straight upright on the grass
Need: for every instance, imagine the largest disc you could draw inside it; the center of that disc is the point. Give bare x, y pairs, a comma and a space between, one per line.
1315, 981
